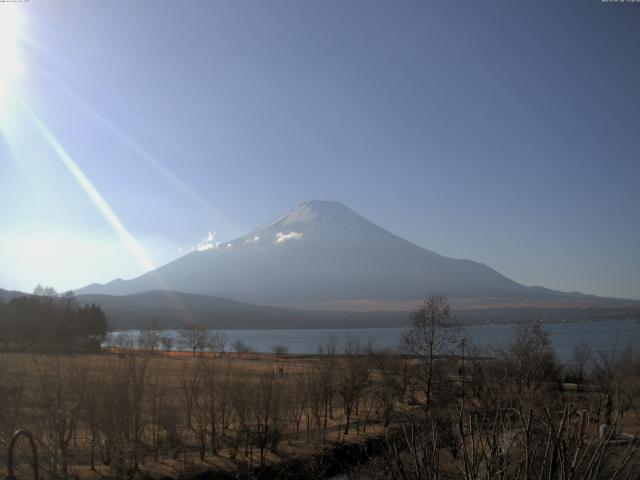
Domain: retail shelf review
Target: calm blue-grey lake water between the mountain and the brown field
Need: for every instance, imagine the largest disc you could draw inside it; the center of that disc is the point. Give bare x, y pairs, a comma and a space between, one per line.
607, 336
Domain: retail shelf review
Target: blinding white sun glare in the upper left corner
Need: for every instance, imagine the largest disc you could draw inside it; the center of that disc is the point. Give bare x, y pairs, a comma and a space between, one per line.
11, 20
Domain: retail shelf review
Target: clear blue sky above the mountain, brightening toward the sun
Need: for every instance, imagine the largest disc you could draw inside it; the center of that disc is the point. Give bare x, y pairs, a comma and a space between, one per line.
505, 132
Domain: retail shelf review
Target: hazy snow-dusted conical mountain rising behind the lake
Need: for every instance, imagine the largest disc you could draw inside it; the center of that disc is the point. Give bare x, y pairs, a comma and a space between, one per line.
321, 251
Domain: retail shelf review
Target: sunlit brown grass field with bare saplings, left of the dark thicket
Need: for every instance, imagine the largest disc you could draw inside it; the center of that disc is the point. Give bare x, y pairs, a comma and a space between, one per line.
170, 415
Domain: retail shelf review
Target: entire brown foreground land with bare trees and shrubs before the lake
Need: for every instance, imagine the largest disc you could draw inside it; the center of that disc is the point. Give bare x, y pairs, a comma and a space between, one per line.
133, 413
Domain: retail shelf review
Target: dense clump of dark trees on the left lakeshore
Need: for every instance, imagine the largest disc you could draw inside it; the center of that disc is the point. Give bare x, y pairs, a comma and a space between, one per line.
46, 321
